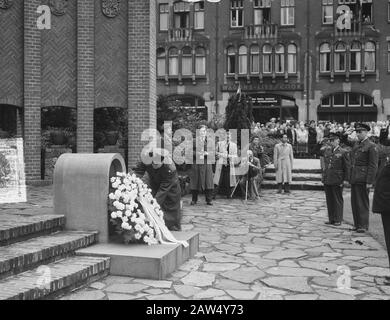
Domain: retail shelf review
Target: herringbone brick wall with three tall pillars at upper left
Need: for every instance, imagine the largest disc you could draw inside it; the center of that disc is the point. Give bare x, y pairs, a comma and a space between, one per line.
95, 54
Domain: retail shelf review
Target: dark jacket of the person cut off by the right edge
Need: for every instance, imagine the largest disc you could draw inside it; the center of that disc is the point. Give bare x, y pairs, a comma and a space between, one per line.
381, 202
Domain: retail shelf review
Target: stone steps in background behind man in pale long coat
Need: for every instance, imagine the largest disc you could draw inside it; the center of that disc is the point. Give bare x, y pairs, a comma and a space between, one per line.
306, 176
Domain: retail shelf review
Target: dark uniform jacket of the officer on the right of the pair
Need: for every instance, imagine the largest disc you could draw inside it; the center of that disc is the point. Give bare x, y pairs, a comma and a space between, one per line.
364, 162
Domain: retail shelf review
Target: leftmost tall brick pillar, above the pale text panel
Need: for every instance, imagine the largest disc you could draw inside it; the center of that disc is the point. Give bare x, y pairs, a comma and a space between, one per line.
32, 91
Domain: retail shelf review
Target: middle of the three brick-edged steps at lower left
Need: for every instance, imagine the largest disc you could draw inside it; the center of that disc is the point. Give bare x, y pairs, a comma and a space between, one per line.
22, 256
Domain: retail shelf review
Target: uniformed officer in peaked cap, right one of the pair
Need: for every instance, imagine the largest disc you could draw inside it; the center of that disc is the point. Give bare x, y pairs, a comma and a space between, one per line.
364, 162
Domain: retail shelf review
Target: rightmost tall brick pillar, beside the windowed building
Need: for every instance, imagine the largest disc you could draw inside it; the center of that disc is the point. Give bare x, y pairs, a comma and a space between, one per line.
141, 73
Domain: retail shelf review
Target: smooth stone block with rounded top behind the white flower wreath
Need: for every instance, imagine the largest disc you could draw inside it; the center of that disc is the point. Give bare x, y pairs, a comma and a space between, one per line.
81, 188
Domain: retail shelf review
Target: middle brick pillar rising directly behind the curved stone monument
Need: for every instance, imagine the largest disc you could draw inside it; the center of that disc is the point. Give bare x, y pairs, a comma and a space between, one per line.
85, 74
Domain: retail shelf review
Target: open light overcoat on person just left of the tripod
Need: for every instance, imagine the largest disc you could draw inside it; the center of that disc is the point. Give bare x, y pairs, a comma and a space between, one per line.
222, 152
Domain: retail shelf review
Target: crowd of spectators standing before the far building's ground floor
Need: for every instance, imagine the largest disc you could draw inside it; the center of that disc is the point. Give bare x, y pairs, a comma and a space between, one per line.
307, 137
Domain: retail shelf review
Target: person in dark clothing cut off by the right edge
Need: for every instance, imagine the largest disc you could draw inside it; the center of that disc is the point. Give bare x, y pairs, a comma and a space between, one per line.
381, 205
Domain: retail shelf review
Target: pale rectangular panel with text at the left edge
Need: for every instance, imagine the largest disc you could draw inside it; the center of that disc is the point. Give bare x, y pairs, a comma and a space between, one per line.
12, 176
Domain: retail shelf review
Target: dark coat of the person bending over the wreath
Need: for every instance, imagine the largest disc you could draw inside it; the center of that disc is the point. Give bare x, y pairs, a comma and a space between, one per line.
165, 186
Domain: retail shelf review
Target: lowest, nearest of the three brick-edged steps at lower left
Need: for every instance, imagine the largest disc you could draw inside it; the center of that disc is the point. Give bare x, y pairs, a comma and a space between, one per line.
55, 279
